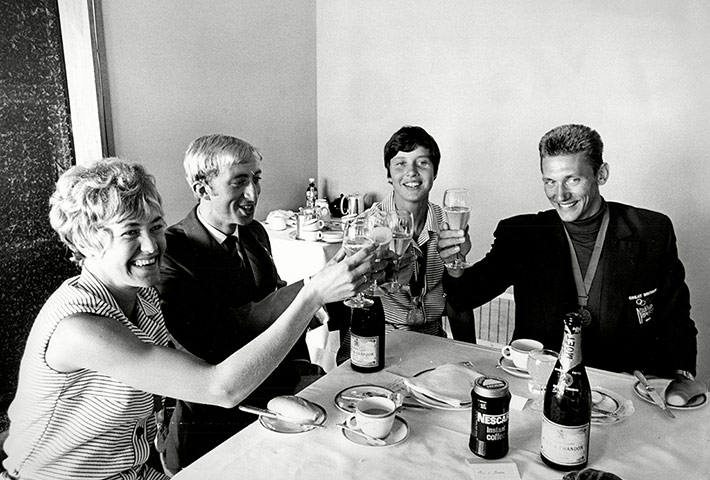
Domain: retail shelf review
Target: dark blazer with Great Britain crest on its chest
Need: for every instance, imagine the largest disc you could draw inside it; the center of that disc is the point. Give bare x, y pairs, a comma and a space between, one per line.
639, 301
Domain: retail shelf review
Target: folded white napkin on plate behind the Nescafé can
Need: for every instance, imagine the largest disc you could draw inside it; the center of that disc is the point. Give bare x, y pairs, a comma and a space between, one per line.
450, 383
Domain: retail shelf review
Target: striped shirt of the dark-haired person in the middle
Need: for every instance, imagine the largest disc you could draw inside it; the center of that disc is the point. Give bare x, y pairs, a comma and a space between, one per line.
396, 305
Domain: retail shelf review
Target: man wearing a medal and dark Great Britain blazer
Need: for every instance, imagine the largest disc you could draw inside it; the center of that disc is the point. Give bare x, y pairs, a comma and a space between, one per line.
616, 263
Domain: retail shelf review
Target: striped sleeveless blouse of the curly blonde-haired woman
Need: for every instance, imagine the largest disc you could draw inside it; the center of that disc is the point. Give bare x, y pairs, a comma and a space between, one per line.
82, 425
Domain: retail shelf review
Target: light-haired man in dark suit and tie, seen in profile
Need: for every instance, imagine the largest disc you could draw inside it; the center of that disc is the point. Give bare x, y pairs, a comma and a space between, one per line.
220, 289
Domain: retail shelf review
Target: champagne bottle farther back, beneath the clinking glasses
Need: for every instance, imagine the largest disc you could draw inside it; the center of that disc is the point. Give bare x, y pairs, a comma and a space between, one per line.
367, 338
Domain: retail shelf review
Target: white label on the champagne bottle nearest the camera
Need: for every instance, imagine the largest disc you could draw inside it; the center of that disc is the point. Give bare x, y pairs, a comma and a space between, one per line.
564, 445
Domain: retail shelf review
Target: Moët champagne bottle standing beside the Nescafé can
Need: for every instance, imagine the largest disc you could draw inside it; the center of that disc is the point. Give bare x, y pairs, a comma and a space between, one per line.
567, 408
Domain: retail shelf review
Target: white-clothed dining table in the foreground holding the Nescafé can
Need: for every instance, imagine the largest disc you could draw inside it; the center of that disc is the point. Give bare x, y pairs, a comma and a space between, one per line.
644, 444
